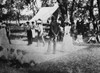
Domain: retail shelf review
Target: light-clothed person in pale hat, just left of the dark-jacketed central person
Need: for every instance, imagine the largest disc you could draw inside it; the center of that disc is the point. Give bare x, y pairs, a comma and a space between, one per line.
40, 32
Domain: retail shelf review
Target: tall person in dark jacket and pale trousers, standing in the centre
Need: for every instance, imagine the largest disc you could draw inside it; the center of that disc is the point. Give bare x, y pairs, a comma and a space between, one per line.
53, 33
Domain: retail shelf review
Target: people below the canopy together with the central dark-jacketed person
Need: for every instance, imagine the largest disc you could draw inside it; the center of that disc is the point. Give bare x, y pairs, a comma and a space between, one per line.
53, 34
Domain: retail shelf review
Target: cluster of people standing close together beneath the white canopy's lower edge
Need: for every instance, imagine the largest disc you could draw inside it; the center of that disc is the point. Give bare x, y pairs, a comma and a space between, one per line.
33, 27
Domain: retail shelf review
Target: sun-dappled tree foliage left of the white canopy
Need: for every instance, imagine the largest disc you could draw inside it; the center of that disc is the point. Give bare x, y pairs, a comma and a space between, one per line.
14, 8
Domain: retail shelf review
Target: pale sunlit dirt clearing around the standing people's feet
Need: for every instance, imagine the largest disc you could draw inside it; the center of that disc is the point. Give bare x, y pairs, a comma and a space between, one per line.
39, 54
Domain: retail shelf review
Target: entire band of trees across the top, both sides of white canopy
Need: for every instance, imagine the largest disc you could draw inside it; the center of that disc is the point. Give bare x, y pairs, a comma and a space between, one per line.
73, 8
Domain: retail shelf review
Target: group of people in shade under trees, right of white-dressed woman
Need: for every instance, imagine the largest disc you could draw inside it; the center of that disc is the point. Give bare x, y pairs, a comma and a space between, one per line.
88, 29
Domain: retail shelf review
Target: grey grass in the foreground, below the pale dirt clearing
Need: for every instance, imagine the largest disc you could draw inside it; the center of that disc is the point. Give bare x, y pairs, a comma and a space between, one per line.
82, 61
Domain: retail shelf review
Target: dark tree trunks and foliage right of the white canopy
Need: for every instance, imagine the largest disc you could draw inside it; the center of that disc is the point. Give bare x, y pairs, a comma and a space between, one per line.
79, 9
